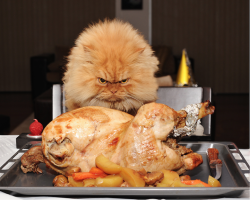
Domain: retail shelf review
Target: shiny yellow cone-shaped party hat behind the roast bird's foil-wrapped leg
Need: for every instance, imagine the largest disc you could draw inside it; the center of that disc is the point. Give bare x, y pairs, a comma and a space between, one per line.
183, 71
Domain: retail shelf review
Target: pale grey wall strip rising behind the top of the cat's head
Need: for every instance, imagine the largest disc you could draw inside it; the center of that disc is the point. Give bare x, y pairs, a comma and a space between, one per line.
140, 19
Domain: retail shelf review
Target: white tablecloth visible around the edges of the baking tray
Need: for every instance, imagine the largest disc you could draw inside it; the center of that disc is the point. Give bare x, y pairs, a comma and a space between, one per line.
8, 149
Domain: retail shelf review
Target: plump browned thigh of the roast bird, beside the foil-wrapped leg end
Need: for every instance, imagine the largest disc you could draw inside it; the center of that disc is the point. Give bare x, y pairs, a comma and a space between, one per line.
142, 146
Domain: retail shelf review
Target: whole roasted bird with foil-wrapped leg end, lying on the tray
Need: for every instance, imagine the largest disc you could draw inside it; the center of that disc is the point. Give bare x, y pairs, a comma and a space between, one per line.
146, 142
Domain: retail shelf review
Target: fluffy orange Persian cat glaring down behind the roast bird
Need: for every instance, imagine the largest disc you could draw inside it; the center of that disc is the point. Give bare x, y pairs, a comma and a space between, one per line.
111, 65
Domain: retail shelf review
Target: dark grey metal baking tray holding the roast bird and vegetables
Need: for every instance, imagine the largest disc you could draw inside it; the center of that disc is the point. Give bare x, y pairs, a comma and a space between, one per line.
234, 179
